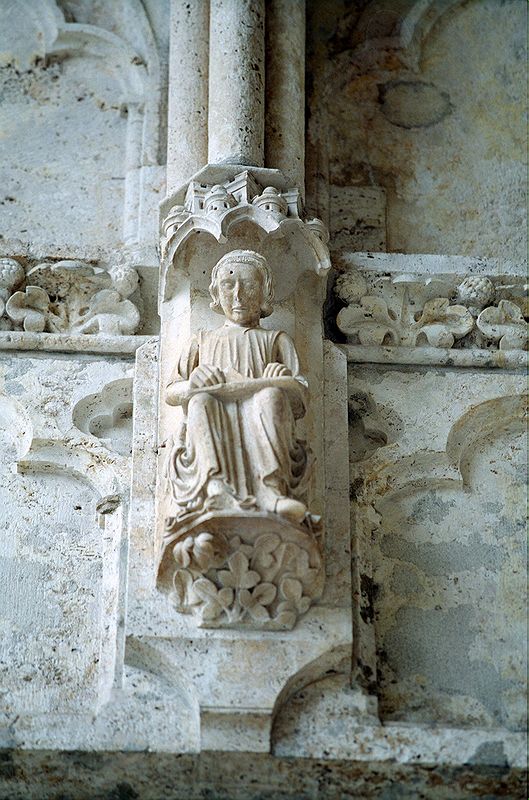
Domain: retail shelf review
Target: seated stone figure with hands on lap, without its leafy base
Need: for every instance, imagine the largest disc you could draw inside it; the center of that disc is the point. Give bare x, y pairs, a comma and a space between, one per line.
241, 392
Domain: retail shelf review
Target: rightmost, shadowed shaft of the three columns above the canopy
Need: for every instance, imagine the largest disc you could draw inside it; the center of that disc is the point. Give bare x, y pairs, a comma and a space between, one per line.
285, 89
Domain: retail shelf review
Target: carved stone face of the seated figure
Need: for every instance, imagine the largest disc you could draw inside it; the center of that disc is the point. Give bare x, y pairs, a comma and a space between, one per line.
241, 293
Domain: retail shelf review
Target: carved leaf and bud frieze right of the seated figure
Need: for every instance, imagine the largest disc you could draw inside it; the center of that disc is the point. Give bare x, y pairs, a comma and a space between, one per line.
394, 309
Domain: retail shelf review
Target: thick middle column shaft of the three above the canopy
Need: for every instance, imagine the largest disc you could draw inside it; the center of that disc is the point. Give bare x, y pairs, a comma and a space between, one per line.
236, 82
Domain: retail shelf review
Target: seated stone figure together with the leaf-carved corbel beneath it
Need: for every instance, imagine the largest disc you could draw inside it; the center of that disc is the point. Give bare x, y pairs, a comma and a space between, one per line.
237, 470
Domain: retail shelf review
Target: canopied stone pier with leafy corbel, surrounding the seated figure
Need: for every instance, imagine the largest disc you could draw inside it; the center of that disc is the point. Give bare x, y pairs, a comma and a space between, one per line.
252, 578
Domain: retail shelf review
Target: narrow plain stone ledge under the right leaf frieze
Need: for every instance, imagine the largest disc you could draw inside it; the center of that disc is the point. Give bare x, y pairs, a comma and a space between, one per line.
437, 356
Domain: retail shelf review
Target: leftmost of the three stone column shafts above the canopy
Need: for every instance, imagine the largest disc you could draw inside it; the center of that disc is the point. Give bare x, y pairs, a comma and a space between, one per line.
187, 136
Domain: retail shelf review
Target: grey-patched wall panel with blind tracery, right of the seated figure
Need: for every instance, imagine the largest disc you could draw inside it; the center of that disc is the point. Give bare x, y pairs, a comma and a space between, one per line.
442, 495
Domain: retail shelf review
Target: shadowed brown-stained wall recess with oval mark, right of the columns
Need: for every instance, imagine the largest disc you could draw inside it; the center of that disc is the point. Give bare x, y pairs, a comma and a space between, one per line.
411, 99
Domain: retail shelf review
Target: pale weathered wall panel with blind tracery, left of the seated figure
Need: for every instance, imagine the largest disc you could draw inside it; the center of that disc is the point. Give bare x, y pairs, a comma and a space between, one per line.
63, 505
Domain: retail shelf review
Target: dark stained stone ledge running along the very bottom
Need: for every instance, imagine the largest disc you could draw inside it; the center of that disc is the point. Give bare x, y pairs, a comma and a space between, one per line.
48, 775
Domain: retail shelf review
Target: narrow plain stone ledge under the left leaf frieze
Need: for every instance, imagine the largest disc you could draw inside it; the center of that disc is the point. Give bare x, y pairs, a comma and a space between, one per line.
67, 343
